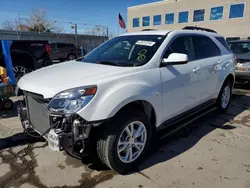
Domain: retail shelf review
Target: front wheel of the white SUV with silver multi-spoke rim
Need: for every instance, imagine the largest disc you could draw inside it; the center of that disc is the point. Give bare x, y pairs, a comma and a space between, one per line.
108, 144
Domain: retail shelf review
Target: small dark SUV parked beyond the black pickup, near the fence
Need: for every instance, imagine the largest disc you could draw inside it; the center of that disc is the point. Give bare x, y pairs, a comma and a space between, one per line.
63, 51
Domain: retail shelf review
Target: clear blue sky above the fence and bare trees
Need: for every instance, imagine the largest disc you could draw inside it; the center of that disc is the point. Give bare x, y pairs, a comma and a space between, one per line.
96, 12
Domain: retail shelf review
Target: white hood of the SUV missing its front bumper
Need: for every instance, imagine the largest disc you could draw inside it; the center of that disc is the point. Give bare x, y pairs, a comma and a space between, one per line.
51, 80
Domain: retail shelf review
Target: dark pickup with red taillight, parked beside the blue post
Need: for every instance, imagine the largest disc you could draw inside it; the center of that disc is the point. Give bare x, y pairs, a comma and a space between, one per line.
27, 55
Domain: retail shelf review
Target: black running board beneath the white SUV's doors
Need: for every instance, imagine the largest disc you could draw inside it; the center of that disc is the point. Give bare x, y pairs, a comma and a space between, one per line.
173, 130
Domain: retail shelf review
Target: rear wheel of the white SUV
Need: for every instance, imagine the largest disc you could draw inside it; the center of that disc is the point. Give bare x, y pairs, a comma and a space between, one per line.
224, 98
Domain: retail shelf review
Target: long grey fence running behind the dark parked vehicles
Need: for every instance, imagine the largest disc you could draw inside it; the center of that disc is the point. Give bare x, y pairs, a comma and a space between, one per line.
88, 41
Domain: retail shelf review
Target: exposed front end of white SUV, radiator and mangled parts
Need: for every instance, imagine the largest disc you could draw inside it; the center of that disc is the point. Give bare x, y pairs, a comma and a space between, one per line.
67, 132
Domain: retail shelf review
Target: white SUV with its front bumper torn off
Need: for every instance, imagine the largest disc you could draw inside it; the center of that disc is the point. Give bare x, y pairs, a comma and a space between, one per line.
121, 93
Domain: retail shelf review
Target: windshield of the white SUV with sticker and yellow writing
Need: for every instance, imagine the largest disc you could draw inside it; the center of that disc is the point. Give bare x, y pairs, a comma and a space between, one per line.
126, 50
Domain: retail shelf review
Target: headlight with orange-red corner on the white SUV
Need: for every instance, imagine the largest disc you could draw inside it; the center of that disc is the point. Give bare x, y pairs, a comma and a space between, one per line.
71, 101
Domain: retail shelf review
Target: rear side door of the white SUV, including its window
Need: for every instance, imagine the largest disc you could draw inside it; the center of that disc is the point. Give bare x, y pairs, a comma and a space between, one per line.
207, 57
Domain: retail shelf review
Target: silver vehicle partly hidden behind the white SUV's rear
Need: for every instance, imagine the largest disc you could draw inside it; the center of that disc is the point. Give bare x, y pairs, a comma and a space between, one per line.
241, 49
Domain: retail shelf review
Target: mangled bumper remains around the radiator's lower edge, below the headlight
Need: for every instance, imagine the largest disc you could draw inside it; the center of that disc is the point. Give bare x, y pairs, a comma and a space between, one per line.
70, 133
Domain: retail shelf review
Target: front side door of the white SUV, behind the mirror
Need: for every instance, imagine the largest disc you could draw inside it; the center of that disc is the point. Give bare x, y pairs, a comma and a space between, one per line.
180, 86
